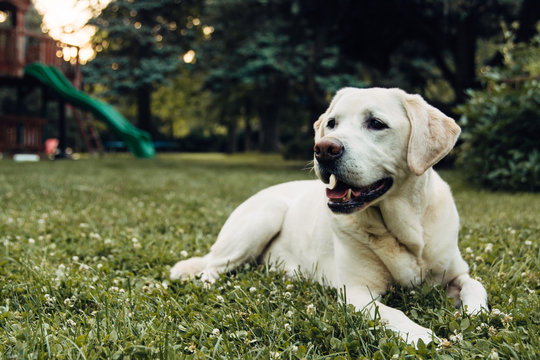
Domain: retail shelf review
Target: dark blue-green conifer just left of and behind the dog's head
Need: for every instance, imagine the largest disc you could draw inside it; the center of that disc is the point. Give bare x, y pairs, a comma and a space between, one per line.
273, 58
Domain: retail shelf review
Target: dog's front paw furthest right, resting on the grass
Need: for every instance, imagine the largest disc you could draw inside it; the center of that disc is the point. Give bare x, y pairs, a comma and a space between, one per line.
468, 292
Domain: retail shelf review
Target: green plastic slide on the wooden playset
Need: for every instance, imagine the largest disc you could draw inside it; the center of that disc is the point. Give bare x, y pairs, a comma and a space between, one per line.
139, 142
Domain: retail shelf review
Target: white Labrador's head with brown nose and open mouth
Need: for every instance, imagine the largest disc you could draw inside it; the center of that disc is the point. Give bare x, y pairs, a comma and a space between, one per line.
370, 140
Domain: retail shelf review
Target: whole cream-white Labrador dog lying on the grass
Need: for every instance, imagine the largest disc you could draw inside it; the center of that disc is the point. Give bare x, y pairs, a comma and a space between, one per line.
384, 217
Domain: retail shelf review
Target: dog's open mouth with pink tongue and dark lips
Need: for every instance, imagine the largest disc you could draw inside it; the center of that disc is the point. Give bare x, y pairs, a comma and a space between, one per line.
344, 198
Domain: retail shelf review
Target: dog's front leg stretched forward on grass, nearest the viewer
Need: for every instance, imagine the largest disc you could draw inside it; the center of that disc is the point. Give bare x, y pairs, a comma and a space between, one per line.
394, 319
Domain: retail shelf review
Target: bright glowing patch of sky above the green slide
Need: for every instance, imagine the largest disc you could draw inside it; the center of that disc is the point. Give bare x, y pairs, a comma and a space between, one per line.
65, 21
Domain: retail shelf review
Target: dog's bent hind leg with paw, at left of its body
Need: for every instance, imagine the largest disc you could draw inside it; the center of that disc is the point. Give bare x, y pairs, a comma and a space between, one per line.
243, 237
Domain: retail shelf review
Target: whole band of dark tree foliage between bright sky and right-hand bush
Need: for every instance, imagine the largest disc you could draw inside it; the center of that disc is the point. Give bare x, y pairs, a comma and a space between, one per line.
267, 68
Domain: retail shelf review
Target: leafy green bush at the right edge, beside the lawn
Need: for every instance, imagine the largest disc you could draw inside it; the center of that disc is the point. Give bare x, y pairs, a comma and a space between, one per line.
501, 124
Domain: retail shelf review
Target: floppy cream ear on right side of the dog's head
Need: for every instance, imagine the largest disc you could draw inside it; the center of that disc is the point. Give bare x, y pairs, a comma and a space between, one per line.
432, 136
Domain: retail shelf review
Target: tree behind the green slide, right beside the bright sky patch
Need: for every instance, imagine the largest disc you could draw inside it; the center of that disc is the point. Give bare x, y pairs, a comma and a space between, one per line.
138, 45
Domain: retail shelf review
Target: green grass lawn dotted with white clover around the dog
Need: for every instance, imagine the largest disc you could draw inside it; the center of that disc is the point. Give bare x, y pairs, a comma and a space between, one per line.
85, 249
